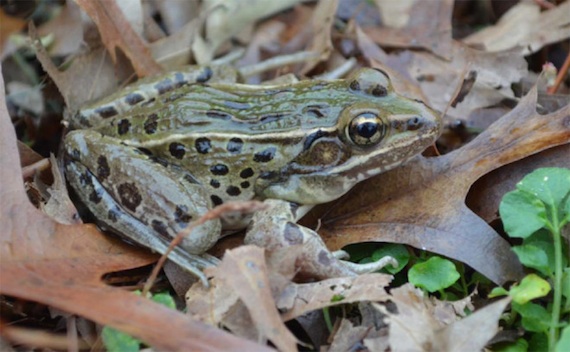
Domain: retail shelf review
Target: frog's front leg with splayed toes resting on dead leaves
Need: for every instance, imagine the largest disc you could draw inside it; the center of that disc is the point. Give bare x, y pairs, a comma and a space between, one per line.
275, 228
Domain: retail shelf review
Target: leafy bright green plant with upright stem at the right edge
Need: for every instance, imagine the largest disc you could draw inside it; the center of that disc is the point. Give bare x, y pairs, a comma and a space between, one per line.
538, 212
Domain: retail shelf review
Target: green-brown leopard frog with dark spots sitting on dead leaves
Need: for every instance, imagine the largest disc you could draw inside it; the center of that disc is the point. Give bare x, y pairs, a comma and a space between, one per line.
152, 158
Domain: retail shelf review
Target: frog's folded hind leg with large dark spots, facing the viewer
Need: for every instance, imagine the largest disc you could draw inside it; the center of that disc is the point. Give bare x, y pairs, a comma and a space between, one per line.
147, 201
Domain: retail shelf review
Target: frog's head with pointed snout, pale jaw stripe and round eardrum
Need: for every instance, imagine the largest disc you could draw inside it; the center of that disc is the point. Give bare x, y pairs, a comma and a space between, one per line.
376, 132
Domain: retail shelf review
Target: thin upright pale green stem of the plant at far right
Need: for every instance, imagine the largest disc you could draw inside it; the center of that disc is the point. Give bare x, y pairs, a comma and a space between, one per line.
557, 239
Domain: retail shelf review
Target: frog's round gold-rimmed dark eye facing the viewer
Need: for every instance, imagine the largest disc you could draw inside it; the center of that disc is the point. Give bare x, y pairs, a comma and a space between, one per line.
366, 129
